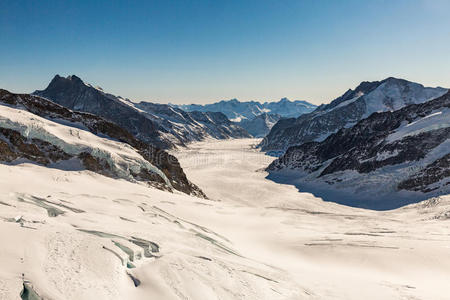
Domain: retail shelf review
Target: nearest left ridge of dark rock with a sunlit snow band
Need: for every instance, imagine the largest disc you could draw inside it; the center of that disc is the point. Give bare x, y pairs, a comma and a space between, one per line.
35, 129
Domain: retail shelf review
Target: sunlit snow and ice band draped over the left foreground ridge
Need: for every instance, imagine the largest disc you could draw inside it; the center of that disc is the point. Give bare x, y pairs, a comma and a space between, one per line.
119, 158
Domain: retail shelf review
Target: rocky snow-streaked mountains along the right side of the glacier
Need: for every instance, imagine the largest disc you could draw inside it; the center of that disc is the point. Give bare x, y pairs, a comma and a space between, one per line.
385, 160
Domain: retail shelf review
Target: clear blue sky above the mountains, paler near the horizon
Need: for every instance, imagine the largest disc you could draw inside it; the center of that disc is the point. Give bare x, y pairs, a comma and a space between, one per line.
204, 51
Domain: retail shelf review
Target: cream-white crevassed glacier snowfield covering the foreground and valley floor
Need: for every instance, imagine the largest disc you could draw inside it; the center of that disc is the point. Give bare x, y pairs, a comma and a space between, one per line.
83, 236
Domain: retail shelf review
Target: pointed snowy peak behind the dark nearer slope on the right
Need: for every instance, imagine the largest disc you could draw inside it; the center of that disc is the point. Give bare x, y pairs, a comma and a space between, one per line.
369, 97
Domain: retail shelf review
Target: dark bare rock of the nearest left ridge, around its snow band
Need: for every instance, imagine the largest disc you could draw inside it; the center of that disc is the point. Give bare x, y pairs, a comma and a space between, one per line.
14, 145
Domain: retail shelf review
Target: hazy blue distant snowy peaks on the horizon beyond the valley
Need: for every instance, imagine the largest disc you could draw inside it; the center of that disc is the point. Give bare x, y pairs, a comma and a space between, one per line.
238, 111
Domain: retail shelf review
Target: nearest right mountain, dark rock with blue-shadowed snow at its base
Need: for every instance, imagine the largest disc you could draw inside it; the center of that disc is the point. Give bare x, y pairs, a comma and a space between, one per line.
384, 161
